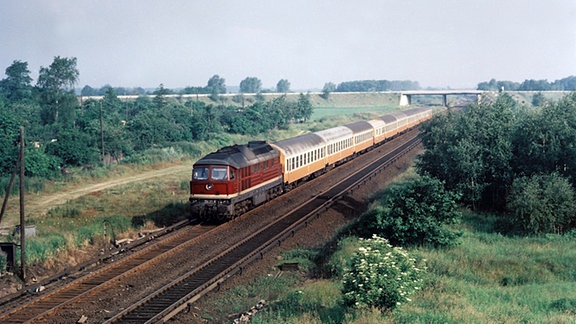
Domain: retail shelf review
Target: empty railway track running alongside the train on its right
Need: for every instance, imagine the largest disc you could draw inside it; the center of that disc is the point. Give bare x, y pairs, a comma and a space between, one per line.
167, 301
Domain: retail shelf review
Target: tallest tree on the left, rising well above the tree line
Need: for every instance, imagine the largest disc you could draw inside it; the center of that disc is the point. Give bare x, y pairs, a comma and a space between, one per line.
56, 85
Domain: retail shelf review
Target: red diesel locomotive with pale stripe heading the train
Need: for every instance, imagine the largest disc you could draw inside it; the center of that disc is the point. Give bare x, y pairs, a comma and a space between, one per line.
232, 180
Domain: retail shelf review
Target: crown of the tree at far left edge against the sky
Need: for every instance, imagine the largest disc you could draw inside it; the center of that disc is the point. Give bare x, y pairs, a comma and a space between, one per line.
18, 83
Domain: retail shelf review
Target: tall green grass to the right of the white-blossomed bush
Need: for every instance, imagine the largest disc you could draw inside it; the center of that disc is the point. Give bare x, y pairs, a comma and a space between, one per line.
494, 278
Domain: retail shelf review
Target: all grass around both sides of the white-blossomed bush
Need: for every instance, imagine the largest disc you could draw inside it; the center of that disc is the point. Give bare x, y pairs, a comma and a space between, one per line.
488, 278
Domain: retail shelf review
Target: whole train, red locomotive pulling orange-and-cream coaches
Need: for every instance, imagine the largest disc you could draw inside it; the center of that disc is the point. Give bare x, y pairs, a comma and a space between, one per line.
237, 178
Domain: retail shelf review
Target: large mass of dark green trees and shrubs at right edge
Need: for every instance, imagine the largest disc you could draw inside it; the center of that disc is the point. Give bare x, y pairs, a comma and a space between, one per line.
497, 154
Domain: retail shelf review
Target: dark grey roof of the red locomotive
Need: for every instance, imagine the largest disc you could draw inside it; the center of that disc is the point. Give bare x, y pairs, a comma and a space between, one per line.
239, 156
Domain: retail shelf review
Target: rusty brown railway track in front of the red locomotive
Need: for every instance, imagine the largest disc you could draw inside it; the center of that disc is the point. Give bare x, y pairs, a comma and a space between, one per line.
44, 305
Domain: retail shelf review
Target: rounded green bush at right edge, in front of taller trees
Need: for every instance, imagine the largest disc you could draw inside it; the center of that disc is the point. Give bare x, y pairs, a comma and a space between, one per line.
543, 203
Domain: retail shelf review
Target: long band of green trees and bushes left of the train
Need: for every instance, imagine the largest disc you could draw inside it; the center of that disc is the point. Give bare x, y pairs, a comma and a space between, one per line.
63, 131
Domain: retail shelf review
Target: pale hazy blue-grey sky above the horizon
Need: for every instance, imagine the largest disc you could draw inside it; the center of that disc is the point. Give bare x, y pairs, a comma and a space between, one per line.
439, 43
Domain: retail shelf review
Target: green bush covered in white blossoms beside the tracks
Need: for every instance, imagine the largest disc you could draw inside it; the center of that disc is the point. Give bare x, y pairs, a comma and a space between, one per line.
381, 276
